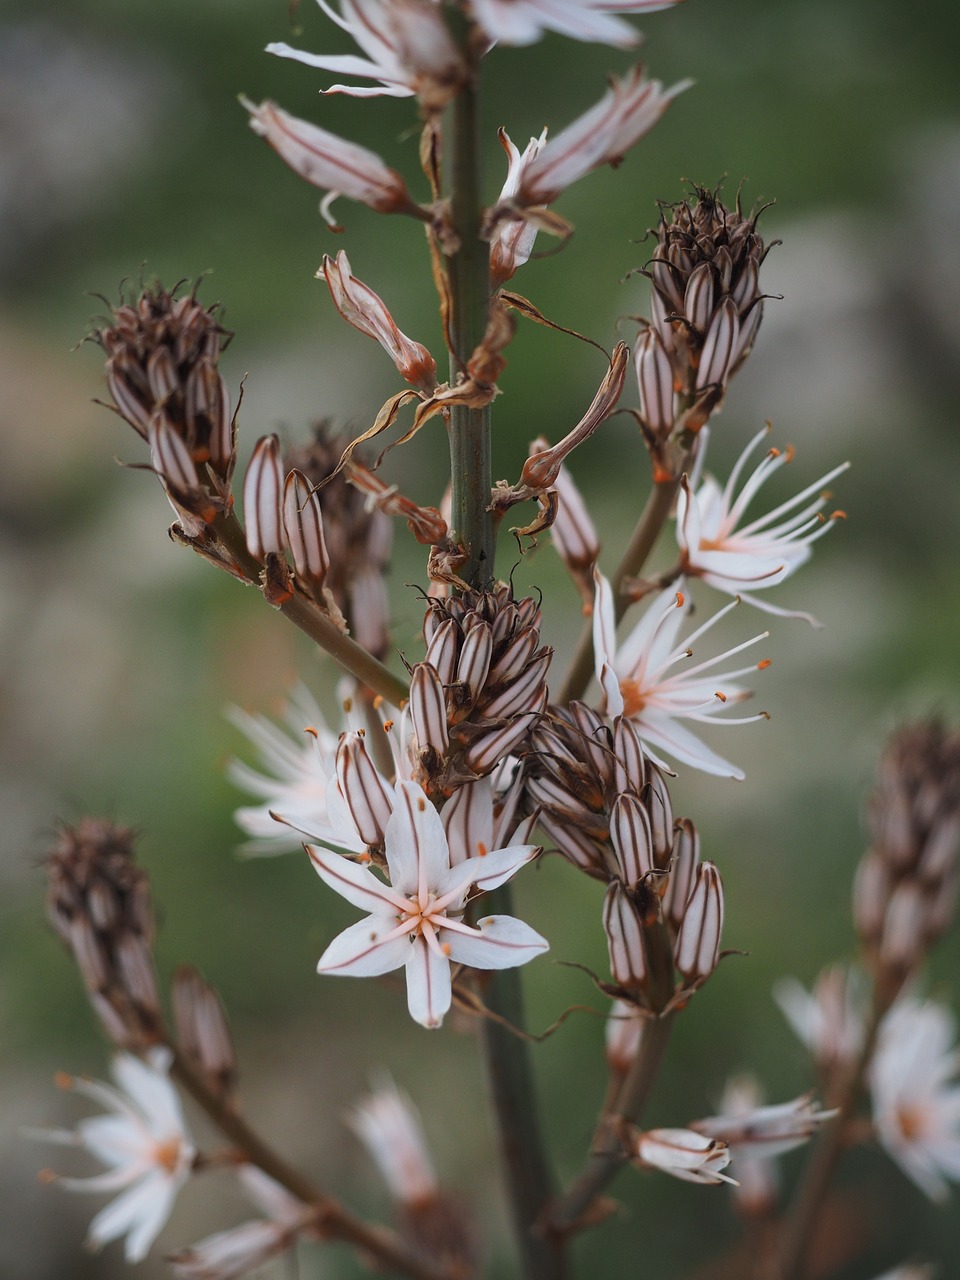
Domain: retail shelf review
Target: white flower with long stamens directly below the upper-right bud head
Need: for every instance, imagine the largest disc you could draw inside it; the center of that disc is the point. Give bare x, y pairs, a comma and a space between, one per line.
757, 555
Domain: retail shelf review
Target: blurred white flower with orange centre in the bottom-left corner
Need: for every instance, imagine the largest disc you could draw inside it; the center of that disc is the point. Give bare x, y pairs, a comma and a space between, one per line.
143, 1141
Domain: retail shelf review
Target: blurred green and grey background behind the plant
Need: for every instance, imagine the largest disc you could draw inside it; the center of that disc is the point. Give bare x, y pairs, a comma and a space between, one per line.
124, 152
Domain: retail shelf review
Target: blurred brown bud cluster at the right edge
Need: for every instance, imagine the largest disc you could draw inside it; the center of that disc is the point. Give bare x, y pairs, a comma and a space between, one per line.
906, 888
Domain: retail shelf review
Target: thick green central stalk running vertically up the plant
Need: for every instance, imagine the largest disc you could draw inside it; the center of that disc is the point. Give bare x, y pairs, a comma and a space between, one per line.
529, 1182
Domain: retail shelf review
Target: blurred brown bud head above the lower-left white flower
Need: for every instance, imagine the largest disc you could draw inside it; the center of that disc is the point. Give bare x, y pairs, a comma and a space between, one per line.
99, 903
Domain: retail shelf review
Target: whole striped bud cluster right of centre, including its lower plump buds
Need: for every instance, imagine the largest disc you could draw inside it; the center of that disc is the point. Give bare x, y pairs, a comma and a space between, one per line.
607, 810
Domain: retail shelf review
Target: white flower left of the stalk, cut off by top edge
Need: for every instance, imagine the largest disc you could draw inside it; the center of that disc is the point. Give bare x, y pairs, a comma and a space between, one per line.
408, 44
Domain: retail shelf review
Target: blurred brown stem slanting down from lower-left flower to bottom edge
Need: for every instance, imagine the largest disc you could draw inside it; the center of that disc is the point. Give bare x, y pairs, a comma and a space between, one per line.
332, 1219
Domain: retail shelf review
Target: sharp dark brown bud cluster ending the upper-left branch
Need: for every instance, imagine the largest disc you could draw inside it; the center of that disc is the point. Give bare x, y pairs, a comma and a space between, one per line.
162, 371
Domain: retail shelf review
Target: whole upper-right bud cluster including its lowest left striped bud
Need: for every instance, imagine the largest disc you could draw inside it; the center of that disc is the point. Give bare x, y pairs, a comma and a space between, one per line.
706, 308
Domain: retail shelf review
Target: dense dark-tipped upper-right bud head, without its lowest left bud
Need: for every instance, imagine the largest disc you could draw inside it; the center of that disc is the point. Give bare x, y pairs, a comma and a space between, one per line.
707, 301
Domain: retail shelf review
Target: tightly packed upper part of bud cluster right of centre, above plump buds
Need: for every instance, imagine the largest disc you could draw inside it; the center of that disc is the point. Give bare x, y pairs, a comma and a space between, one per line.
602, 802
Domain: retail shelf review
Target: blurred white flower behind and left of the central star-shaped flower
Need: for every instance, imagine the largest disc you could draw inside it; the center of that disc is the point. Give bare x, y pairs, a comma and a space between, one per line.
300, 764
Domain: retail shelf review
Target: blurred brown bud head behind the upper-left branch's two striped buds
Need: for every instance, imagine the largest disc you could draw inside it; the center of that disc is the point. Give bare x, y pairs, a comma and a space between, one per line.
359, 540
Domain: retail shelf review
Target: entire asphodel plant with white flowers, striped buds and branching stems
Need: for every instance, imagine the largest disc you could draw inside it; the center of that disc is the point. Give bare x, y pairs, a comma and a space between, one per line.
440, 780
